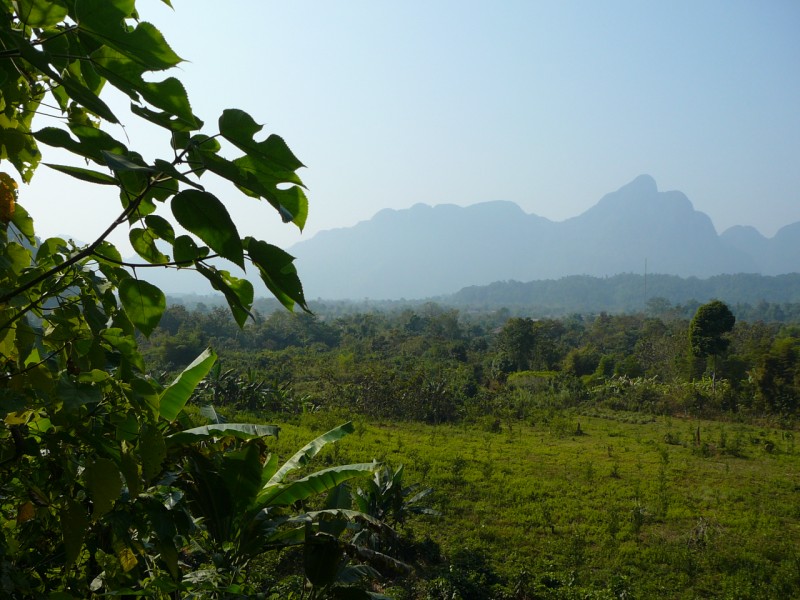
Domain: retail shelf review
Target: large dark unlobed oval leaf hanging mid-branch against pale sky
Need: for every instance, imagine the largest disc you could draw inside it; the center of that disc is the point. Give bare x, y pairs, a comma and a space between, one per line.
205, 216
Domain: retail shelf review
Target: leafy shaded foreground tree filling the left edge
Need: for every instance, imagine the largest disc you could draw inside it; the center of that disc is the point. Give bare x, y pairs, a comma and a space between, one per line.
97, 466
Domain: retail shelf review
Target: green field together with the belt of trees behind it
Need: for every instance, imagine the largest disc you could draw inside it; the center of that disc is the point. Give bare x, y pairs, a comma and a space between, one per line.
568, 458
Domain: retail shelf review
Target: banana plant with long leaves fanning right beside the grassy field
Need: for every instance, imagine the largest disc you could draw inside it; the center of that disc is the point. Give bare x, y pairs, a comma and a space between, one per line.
248, 504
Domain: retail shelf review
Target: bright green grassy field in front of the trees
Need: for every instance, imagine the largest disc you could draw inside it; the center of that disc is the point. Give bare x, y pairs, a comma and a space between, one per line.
632, 505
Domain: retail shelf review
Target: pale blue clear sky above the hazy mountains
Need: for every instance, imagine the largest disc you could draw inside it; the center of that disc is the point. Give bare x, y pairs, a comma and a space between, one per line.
550, 105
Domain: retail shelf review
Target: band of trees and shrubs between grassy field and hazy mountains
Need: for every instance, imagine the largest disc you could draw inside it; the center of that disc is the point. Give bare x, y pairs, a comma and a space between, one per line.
436, 364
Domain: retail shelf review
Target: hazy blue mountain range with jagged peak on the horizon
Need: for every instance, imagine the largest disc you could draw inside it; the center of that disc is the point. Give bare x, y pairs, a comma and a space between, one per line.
427, 251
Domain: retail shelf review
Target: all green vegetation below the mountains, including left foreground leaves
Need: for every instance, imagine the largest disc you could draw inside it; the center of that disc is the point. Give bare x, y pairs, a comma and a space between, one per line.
576, 442
